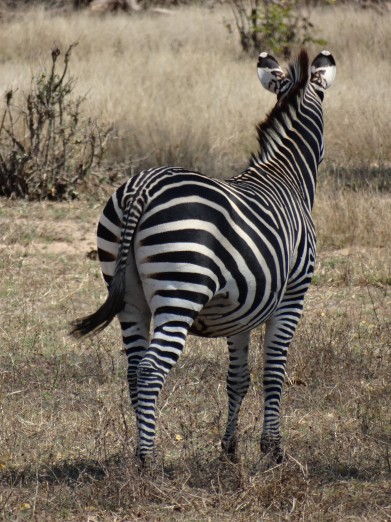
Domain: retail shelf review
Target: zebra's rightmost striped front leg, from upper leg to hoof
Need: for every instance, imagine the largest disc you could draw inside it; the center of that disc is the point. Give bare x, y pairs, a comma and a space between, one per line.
279, 333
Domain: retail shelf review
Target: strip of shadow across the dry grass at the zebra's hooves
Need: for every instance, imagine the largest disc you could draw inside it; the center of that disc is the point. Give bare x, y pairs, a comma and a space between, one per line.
122, 469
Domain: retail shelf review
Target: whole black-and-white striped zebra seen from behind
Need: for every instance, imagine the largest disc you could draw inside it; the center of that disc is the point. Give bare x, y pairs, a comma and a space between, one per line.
191, 254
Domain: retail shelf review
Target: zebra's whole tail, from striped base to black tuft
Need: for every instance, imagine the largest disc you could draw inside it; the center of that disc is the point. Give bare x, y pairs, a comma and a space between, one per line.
97, 321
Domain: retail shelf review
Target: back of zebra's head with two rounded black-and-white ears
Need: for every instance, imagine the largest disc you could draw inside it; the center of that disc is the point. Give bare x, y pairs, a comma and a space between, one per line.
275, 80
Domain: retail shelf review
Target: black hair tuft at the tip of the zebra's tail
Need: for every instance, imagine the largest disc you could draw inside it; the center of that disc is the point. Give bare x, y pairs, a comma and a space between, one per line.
98, 321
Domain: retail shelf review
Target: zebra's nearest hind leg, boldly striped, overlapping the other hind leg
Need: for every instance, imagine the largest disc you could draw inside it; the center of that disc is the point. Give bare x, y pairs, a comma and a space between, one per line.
166, 346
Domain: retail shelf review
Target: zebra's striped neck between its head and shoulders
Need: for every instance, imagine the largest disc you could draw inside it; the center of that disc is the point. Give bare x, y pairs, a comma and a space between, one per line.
291, 143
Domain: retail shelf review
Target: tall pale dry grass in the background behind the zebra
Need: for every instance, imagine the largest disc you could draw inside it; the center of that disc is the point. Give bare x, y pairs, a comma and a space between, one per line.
177, 88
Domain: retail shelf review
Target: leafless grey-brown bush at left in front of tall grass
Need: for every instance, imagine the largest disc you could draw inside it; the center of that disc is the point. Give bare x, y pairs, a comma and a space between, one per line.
46, 147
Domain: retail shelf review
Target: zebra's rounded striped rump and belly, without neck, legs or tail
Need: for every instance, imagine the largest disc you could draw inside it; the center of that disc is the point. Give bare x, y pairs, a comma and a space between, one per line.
204, 248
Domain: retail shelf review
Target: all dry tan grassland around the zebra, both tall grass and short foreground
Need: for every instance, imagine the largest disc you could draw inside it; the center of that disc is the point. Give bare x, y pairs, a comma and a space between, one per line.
177, 90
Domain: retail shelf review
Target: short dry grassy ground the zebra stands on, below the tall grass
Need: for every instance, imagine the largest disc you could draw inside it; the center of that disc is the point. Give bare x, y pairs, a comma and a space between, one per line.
67, 434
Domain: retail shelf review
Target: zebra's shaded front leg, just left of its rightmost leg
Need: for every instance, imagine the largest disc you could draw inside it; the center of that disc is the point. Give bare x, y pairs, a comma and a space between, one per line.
238, 381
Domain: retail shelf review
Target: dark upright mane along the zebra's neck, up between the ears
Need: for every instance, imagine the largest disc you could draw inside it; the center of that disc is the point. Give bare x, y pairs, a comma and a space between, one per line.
298, 74
